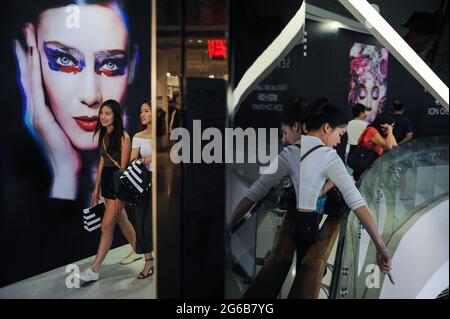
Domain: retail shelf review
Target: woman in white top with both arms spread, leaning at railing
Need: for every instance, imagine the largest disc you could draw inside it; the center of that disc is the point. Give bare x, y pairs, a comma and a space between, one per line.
325, 124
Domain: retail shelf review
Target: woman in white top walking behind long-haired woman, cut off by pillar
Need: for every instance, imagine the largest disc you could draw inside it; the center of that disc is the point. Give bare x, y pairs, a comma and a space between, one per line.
142, 148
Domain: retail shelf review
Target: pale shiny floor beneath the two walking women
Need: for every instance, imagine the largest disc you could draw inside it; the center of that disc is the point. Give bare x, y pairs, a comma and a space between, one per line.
116, 282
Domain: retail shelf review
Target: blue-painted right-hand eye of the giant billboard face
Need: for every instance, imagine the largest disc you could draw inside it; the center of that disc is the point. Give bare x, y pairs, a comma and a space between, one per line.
111, 63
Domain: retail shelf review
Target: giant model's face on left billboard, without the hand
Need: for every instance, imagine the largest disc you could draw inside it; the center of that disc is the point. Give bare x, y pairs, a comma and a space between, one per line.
82, 67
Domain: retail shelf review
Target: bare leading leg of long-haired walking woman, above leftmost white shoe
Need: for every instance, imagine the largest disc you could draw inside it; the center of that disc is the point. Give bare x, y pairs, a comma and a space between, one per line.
107, 230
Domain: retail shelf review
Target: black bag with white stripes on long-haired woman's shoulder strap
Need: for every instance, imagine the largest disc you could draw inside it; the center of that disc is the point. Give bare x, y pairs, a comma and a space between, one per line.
131, 183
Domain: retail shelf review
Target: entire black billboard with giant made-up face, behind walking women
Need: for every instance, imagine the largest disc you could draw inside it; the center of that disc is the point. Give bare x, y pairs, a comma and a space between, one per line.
69, 57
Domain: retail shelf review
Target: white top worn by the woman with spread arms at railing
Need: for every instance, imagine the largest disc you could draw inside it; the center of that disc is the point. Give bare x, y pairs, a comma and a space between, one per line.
309, 176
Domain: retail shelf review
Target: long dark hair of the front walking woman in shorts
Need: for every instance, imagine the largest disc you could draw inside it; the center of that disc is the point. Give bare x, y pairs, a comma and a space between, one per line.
115, 139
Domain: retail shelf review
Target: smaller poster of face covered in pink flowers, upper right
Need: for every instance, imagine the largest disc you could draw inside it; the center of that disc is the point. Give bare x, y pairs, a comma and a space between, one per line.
368, 78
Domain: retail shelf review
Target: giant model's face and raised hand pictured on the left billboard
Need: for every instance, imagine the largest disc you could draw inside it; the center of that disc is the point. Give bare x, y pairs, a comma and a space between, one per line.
72, 59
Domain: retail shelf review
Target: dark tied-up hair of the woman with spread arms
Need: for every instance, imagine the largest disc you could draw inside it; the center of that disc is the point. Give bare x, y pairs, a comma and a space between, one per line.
321, 112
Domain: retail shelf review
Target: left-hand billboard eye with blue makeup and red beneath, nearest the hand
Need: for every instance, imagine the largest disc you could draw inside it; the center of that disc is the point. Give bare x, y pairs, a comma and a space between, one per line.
62, 58
